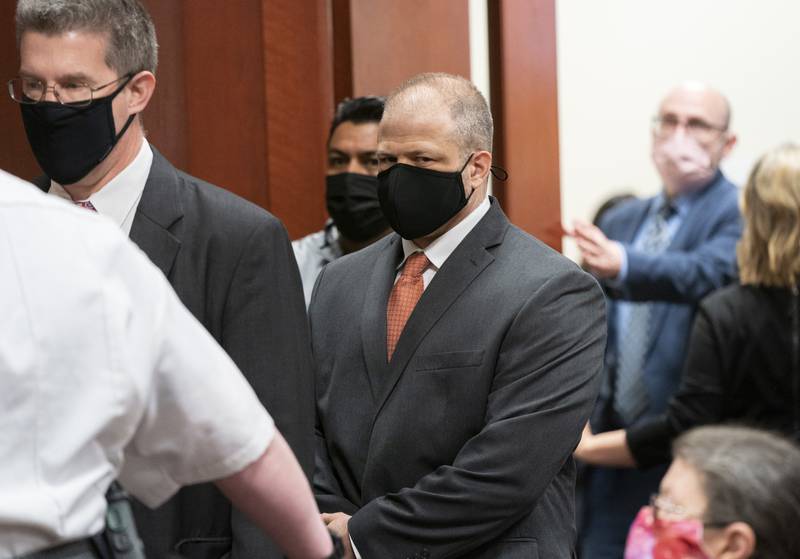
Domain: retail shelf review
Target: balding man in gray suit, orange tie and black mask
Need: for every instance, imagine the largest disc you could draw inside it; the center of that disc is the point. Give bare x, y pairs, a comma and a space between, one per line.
457, 359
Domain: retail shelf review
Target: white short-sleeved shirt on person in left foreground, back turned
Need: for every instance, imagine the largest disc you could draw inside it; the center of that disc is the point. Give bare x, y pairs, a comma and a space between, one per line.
103, 374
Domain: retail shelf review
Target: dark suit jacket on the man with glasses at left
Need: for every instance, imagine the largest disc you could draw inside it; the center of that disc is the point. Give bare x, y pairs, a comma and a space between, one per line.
232, 265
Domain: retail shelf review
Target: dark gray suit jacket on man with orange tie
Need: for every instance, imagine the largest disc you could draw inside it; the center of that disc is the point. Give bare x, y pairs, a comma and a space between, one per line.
462, 445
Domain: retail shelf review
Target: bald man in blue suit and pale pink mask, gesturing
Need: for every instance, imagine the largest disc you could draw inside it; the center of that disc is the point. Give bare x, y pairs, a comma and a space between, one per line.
657, 258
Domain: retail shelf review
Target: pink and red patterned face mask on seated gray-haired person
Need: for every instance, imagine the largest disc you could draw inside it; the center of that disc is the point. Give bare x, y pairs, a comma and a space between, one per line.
657, 538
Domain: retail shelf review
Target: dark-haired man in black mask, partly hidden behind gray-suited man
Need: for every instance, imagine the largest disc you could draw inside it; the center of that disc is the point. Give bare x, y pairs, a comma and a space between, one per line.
351, 190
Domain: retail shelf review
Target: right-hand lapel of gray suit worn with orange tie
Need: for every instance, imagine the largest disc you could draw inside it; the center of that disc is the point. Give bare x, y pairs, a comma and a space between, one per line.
466, 262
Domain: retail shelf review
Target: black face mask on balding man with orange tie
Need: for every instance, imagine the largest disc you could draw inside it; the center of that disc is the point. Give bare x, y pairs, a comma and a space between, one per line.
418, 201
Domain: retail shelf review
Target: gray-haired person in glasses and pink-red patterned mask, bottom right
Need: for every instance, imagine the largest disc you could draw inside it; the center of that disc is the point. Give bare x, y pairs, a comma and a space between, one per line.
731, 492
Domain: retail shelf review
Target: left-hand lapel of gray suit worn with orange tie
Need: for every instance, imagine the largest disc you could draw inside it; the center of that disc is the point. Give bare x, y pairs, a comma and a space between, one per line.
373, 320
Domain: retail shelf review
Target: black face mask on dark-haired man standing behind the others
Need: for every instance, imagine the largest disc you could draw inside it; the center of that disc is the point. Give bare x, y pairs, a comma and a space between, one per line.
352, 201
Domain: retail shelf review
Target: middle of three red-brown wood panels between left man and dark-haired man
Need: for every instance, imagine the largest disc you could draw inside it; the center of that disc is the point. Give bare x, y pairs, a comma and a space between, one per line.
224, 98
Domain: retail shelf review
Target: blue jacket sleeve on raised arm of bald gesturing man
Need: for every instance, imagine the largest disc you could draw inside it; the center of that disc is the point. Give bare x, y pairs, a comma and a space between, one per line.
685, 276
